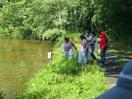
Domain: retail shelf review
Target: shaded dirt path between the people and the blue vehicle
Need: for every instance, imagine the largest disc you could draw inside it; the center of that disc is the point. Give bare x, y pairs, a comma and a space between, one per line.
115, 60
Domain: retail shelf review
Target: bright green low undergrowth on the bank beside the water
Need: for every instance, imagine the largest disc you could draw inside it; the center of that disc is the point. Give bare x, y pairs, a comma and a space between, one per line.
64, 78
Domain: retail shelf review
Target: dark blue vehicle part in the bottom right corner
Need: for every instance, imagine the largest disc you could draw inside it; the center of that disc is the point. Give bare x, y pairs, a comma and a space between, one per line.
123, 88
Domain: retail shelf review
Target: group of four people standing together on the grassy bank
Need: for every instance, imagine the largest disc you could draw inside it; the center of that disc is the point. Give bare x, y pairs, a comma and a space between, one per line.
87, 47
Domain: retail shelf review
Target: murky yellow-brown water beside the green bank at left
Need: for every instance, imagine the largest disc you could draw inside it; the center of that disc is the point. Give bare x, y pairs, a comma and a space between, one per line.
19, 60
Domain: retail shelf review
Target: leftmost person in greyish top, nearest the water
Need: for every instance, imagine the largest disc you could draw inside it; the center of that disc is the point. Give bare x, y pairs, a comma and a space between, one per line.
68, 48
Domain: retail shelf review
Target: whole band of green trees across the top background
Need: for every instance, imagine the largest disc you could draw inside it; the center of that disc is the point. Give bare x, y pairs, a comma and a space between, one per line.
49, 19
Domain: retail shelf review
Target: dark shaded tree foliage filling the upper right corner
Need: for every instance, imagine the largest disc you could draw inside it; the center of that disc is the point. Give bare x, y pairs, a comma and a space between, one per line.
114, 15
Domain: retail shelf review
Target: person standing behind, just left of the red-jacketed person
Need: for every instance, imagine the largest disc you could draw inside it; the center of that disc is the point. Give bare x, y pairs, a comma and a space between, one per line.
91, 40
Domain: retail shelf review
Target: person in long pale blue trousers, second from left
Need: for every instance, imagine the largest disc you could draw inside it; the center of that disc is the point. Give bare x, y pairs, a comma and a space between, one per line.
83, 50
